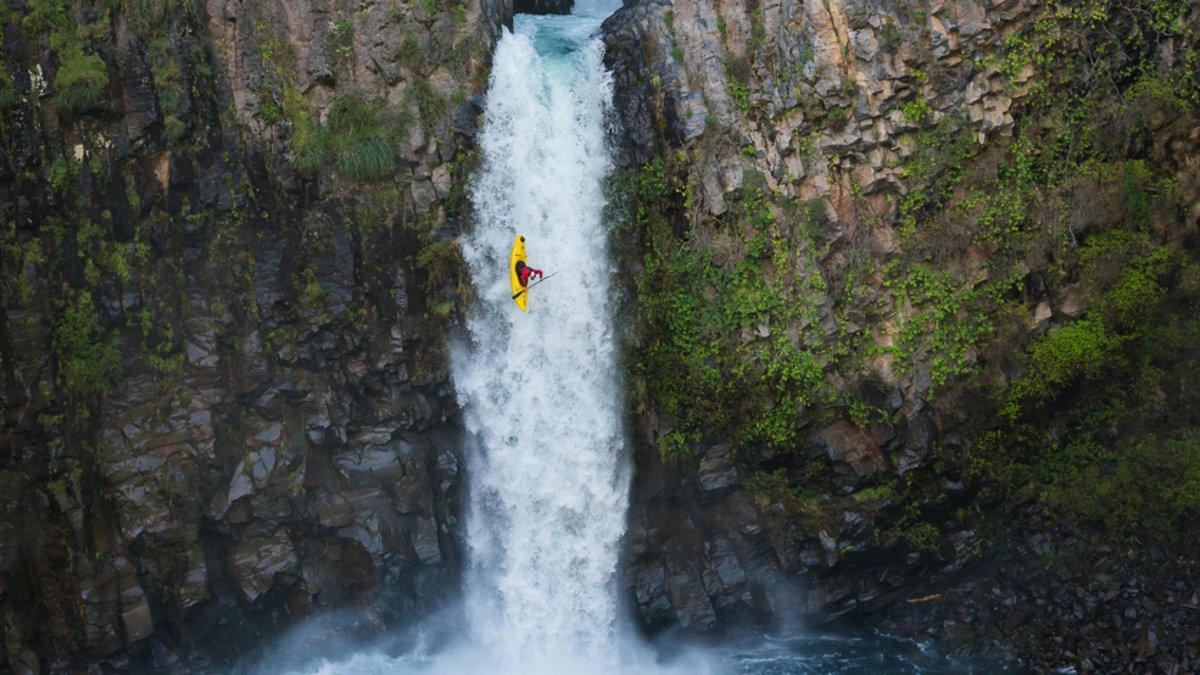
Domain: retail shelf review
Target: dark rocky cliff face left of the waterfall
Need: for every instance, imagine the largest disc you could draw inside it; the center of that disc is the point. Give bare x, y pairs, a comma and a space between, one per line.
229, 261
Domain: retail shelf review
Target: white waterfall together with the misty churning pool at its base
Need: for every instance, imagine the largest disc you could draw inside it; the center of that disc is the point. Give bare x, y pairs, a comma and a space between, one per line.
547, 464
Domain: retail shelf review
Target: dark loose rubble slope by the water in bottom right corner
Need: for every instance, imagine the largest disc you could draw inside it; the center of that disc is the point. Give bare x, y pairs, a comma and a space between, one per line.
1087, 623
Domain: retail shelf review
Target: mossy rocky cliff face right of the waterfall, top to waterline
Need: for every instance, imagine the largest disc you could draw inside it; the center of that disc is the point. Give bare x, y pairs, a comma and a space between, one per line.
880, 256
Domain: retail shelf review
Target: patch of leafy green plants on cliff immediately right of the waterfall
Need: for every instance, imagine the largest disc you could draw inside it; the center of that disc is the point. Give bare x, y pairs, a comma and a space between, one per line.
712, 359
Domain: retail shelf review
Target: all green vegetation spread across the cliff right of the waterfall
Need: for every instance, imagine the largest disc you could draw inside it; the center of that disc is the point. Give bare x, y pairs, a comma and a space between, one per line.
1034, 298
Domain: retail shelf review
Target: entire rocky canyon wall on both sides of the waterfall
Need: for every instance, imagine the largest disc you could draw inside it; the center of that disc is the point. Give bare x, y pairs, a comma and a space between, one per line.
909, 320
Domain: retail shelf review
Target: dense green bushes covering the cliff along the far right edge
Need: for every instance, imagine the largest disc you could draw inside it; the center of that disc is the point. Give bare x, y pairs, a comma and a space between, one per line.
1087, 200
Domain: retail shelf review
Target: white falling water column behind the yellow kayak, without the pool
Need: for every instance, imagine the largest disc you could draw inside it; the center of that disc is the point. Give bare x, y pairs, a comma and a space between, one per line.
549, 470
